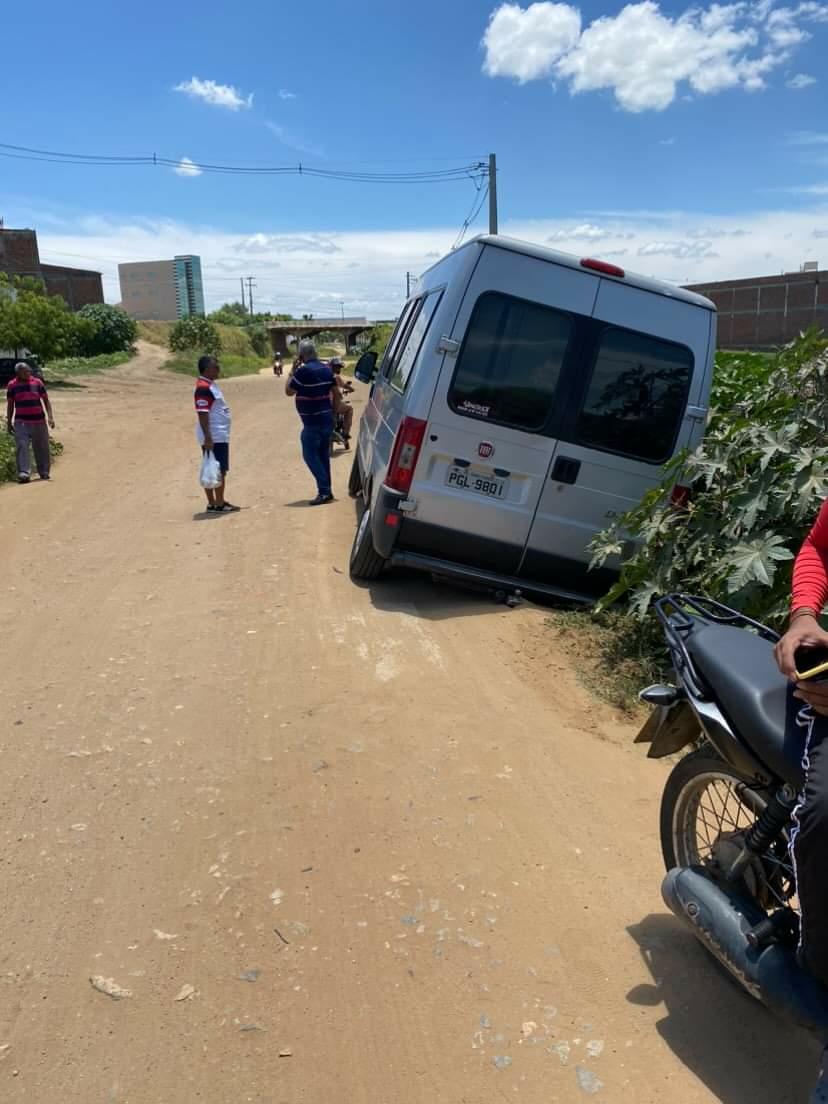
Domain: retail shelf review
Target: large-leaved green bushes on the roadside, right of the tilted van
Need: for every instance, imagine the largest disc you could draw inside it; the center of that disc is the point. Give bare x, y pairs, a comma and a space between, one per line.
757, 483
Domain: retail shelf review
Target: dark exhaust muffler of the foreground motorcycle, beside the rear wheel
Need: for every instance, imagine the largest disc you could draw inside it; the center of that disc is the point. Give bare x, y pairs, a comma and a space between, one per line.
721, 919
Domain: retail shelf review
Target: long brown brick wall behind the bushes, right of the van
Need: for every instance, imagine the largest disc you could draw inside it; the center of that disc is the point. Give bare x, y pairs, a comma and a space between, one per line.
768, 311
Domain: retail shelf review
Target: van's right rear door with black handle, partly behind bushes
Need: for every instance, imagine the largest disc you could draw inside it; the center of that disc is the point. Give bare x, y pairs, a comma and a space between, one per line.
627, 416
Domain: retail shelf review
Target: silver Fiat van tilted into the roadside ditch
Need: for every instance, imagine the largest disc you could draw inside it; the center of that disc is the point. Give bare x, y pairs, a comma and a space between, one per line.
527, 398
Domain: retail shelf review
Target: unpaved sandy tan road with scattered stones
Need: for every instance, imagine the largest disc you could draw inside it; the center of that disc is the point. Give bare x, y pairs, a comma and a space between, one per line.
221, 757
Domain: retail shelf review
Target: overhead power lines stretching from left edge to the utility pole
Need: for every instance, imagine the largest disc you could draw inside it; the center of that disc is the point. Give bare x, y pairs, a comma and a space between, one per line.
472, 171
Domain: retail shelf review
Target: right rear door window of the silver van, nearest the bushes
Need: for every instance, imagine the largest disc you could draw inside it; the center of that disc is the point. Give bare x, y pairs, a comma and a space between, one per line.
636, 397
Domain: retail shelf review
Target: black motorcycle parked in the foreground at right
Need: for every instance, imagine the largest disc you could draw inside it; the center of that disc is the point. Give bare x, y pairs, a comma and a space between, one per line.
727, 808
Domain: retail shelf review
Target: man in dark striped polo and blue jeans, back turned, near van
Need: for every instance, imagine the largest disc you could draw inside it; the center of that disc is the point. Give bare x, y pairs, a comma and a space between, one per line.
312, 384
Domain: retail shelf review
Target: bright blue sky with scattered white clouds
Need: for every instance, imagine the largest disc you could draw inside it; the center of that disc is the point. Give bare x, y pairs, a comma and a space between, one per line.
692, 144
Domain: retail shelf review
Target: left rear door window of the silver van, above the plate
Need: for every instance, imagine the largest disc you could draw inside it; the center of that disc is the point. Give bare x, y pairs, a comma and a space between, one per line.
511, 363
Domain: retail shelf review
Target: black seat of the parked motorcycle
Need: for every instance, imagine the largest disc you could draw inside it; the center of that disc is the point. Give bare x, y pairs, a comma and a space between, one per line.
744, 678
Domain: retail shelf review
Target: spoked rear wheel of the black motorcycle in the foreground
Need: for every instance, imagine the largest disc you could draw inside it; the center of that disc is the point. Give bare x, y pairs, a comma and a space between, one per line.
706, 810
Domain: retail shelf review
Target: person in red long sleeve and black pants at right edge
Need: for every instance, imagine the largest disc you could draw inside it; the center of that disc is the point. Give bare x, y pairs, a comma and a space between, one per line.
810, 836
